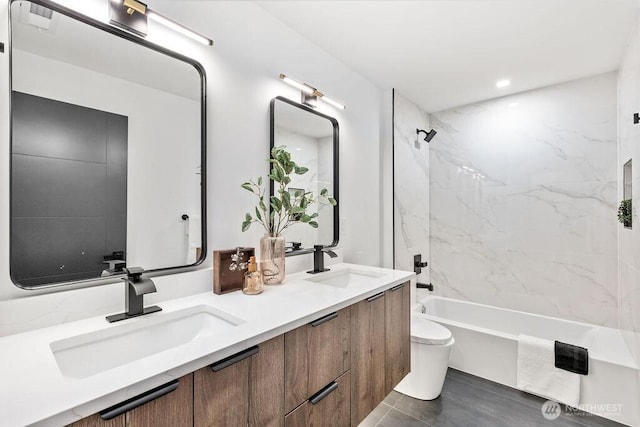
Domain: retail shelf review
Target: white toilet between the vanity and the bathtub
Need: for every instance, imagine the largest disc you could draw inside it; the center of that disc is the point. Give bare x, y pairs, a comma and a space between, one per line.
430, 349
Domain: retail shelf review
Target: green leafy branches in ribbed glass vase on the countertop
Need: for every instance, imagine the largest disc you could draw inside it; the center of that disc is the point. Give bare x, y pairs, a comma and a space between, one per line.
280, 211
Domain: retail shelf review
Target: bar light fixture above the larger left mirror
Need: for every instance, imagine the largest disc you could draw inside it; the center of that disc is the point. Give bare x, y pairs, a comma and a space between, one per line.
132, 15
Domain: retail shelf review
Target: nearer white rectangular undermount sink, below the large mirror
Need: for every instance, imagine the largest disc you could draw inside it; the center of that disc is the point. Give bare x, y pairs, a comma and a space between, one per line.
94, 352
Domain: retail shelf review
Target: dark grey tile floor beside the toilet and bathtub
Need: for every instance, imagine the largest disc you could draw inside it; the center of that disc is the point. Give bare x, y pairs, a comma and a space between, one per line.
470, 401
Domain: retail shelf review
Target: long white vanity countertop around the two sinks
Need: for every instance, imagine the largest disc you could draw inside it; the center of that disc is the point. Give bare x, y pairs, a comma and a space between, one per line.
33, 390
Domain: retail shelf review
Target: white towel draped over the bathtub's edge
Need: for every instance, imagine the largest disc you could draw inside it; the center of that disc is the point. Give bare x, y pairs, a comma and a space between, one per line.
538, 375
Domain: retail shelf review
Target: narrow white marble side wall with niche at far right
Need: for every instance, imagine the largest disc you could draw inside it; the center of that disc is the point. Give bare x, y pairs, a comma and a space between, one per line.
629, 148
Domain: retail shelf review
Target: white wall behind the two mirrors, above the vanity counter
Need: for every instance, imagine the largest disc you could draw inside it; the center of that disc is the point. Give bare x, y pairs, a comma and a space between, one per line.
251, 49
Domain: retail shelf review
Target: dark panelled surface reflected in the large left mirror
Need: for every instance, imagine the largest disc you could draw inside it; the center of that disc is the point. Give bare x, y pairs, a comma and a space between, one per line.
68, 189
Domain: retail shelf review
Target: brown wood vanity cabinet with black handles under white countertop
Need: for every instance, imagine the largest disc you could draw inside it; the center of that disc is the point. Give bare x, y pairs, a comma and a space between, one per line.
330, 372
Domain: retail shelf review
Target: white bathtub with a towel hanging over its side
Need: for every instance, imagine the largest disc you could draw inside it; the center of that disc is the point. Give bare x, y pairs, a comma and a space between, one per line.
487, 341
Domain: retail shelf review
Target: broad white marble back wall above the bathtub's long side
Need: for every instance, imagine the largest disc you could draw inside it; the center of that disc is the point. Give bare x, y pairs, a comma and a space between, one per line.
523, 201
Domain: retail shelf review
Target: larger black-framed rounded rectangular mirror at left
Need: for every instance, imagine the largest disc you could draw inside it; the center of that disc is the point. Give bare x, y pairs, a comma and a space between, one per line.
107, 151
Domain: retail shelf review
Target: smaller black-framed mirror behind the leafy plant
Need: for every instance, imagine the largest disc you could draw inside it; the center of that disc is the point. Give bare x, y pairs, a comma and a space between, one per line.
312, 138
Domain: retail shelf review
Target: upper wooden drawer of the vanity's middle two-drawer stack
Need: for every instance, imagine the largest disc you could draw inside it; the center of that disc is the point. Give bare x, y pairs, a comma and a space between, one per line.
315, 355
